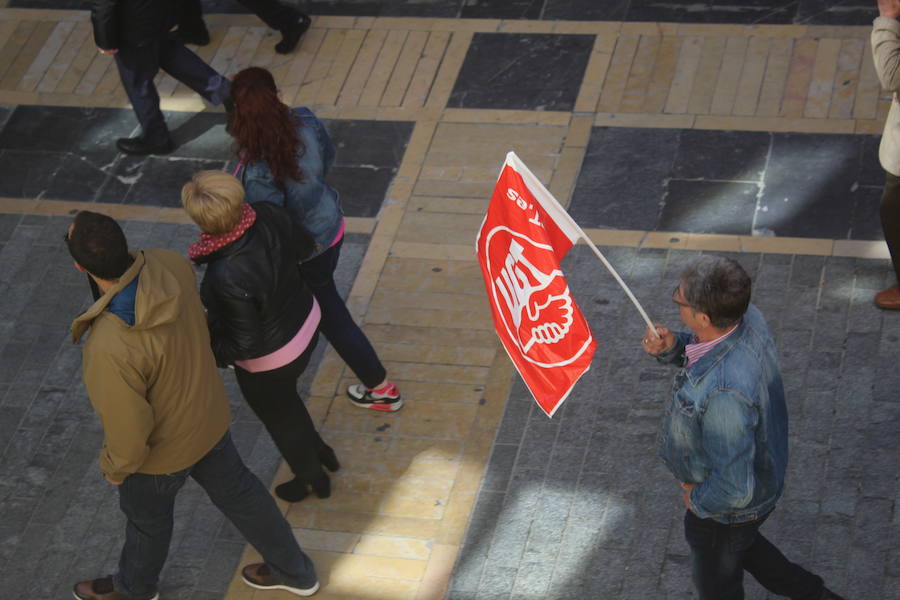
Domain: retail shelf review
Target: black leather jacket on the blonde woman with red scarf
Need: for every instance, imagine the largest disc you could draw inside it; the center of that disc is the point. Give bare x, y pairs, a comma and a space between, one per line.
255, 298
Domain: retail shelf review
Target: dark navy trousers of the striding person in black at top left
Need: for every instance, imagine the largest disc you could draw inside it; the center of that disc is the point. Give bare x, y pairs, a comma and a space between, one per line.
138, 65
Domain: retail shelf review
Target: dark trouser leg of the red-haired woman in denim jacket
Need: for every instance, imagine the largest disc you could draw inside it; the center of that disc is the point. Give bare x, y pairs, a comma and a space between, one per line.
338, 325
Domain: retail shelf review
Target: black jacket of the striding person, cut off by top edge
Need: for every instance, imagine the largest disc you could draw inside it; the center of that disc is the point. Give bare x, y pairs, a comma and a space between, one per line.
120, 23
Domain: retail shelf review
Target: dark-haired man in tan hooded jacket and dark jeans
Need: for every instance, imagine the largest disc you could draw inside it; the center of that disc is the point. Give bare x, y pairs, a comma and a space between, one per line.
152, 379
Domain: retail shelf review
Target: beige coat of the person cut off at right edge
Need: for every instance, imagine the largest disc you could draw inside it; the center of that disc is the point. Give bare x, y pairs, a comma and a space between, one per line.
886, 52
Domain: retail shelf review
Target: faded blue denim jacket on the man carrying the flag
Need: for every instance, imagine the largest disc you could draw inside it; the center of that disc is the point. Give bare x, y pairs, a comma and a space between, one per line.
726, 426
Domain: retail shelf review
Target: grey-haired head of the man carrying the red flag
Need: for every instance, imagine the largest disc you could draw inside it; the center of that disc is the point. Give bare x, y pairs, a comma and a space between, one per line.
718, 287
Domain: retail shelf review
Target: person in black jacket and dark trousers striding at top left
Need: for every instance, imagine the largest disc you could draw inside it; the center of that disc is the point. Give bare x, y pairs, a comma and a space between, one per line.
136, 33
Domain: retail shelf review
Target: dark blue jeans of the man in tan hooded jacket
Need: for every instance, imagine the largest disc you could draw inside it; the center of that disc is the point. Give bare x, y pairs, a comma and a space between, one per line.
148, 503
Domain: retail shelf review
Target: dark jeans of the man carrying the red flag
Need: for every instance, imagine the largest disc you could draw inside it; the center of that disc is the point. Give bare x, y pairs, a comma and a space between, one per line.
721, 553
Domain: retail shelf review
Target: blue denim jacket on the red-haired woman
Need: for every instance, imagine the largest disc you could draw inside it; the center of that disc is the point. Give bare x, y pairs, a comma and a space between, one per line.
312, 203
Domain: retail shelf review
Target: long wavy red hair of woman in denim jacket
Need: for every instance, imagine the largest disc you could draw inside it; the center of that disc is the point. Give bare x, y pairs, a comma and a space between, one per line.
263, 127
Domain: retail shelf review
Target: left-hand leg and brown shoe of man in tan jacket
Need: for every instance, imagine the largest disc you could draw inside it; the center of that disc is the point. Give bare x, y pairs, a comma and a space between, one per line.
148, 502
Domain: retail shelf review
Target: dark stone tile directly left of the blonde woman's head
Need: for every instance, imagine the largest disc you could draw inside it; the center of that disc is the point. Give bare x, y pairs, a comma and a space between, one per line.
162, 178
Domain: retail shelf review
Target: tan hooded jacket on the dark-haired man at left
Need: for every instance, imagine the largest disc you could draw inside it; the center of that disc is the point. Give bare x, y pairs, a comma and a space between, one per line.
154, 385
